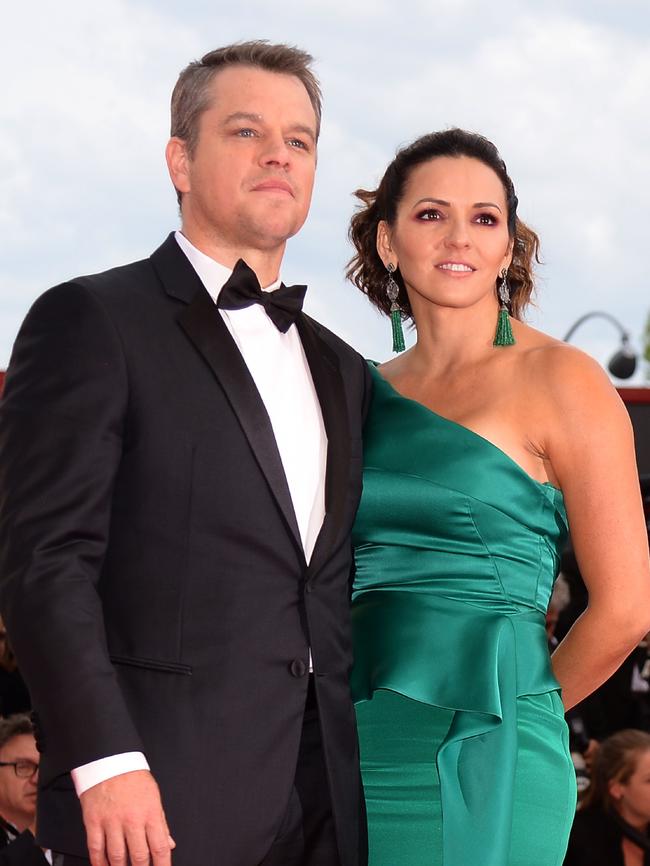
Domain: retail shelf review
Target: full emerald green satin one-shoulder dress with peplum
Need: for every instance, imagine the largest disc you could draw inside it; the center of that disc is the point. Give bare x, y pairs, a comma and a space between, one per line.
464, 748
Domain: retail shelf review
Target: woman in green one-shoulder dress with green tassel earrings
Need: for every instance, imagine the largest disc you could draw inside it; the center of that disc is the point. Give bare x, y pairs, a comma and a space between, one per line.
484, 442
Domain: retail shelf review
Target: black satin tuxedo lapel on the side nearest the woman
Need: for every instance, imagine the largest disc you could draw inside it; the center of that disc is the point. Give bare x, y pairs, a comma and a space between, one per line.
328, 382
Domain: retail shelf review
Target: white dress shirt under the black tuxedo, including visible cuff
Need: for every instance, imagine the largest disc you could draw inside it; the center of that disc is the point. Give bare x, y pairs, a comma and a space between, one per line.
279, 368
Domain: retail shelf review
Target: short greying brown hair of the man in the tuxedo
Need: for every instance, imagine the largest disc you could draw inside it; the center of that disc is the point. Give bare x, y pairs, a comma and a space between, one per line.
191, 95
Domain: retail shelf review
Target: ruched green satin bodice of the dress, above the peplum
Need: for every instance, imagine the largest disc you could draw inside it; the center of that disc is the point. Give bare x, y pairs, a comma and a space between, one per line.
444, 509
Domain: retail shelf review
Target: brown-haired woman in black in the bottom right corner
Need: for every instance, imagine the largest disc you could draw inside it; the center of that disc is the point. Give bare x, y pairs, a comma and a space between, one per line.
611, 827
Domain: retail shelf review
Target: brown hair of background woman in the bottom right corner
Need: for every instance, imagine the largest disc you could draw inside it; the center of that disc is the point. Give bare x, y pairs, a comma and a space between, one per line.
616, 761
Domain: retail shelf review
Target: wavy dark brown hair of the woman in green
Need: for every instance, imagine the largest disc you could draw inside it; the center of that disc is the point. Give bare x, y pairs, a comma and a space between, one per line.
366, 269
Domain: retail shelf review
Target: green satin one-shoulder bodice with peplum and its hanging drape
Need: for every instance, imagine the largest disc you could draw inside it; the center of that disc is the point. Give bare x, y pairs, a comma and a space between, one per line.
456, 551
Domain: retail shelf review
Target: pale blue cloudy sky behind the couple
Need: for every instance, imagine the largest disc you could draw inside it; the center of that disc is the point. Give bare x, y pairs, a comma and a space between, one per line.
562, 89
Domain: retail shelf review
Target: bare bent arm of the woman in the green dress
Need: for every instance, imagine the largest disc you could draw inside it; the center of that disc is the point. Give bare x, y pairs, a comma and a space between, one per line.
590, 447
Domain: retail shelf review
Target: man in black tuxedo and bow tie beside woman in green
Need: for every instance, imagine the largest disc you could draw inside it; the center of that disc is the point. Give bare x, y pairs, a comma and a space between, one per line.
178, 481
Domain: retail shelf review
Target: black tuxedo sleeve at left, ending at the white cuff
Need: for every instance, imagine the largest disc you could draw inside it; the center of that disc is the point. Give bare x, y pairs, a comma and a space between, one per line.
61, 433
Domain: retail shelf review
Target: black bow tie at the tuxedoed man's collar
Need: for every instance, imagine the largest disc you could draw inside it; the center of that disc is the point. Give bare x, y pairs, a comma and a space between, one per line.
243, 289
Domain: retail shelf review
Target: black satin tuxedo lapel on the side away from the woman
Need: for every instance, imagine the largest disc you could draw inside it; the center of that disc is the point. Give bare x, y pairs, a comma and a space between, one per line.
206, 329
